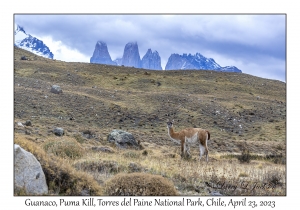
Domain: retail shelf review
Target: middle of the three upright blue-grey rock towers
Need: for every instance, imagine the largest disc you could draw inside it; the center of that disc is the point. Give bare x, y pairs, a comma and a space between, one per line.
131, 55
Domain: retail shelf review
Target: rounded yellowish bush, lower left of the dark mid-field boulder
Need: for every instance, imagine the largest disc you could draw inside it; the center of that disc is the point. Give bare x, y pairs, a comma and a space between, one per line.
64, 147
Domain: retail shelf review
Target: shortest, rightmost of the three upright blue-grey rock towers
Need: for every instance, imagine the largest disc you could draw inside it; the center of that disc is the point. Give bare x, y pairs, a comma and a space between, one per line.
151, 60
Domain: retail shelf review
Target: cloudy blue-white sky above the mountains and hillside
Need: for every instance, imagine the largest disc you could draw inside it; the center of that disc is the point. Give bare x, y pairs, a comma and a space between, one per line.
256, 44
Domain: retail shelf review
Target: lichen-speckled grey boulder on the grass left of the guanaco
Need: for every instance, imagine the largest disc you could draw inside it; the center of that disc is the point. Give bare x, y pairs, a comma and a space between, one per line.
122, 139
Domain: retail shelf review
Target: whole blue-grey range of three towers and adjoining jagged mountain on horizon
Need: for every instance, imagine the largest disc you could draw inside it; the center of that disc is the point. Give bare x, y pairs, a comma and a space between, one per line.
152, 60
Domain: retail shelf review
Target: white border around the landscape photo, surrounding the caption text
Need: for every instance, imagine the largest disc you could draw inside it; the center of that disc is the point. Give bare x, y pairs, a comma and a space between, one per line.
8, 201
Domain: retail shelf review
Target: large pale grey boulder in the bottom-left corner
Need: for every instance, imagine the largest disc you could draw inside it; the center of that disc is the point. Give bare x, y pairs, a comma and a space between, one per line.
29, 175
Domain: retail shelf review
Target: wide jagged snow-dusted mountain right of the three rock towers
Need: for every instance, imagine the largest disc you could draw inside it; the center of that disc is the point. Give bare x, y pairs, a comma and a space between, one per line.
196, 61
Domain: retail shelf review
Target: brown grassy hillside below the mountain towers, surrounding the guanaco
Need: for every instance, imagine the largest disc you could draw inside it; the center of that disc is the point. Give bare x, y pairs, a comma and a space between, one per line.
239, 110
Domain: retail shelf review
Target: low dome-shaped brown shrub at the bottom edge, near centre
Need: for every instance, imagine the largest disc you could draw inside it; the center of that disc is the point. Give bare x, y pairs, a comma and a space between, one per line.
139, 184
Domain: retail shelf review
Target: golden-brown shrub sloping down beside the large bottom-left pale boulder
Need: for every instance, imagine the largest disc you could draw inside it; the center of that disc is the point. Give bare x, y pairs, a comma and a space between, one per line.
61, 177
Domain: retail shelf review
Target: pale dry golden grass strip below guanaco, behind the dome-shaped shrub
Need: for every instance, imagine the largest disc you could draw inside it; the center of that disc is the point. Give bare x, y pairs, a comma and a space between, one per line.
189, 176
